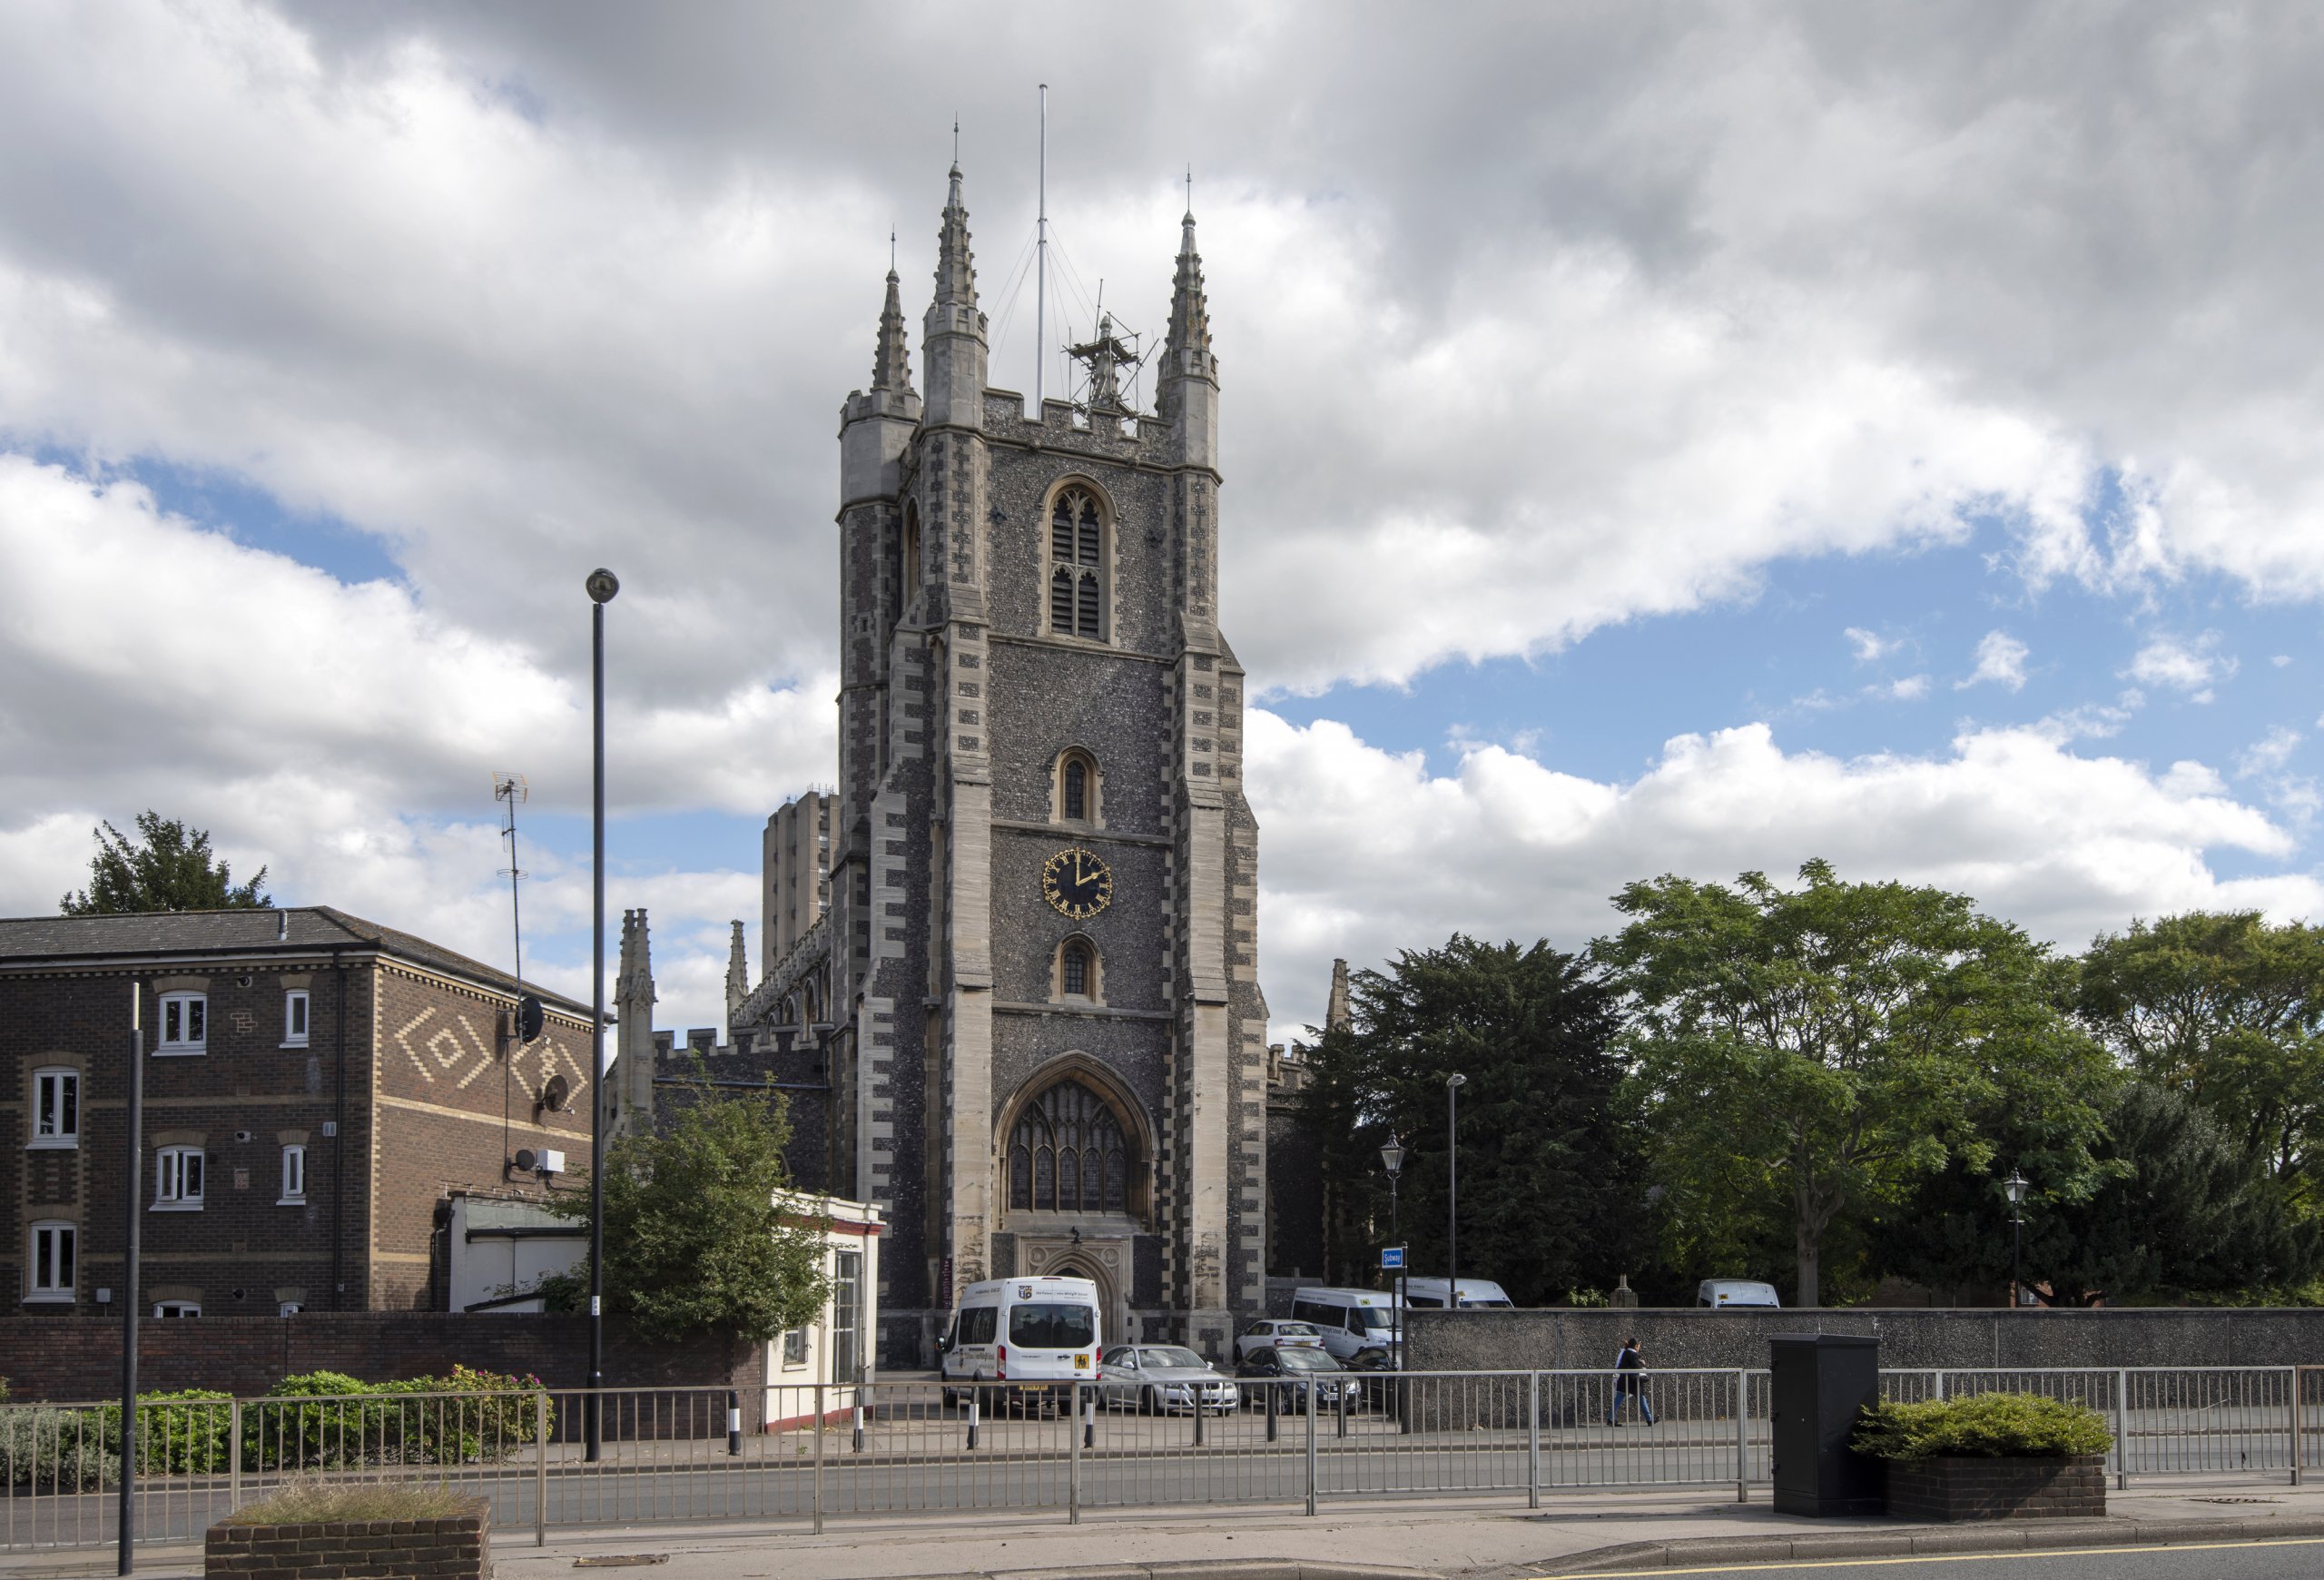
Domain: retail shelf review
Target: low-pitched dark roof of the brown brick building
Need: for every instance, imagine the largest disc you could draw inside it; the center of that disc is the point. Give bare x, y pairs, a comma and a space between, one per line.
245, 933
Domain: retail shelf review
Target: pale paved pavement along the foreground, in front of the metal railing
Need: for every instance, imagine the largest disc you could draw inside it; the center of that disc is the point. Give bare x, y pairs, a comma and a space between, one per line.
1619, 1532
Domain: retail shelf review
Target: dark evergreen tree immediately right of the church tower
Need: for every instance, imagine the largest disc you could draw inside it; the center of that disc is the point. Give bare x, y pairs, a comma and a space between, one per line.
1549, 1195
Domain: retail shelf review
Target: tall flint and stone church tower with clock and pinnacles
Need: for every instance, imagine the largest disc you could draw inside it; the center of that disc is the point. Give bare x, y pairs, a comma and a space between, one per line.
1049, 1049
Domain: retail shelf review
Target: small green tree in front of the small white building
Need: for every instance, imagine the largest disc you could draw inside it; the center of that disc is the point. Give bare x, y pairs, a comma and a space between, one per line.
701, 1226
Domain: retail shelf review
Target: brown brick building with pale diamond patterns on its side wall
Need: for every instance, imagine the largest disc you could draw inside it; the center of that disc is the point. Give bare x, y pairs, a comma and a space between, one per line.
315, 1091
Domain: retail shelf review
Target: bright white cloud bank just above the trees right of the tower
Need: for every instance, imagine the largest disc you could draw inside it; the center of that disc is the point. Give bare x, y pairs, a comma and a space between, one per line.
1512, 847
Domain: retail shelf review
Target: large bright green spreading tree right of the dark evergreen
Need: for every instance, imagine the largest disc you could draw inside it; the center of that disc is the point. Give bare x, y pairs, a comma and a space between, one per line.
1809, 1056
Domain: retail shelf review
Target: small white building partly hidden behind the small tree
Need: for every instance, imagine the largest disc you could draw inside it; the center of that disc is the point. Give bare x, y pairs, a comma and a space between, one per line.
501, 1251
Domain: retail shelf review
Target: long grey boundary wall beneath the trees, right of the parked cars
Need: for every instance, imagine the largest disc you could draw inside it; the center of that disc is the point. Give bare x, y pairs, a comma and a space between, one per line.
1586, 1340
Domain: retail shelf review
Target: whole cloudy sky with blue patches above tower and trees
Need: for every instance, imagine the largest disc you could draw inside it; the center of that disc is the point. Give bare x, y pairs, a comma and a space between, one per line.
1656, 438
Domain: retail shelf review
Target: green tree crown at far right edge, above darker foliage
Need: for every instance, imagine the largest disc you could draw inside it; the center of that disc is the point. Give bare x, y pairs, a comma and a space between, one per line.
2230, 1012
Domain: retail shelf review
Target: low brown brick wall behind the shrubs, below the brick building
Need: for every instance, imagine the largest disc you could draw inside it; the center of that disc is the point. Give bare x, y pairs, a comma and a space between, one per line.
80, 1358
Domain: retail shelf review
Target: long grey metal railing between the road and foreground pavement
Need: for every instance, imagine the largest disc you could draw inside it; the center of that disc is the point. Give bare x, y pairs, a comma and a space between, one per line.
882, 1451
